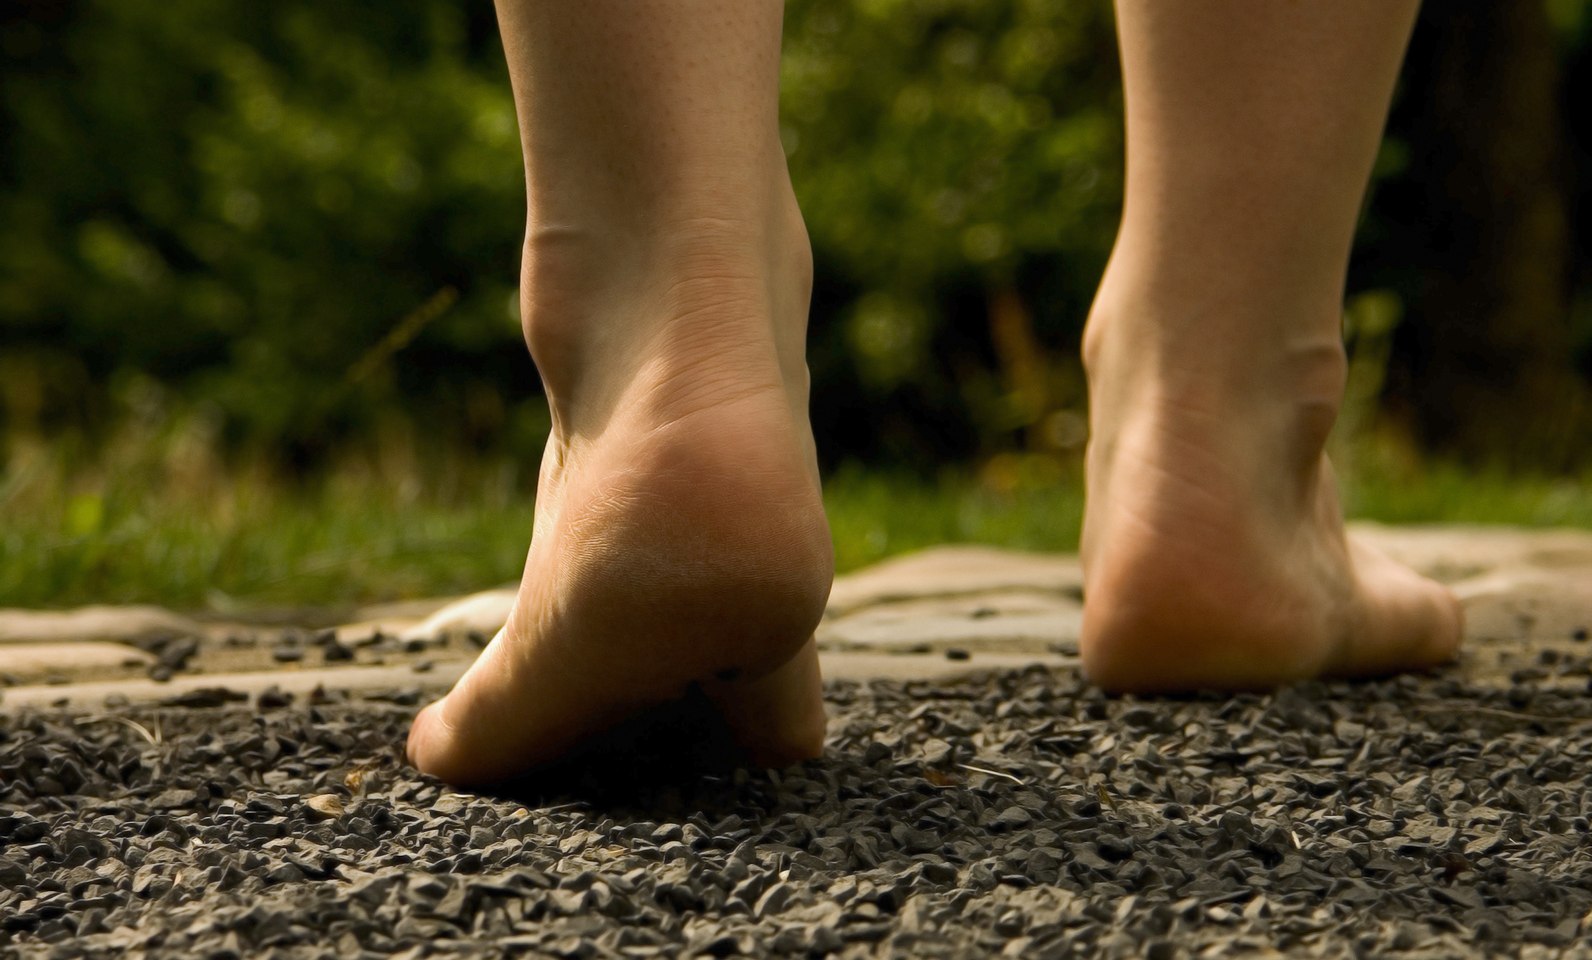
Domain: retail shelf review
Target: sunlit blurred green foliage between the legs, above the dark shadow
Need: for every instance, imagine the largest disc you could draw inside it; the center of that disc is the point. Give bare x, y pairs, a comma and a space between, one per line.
932, 138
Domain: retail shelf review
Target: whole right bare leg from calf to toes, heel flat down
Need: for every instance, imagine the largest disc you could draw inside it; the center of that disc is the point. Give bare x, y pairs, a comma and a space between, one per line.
1214, 545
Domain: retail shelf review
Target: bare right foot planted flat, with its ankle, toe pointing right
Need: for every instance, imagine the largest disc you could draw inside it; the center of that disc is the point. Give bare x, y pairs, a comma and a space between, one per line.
1214, 547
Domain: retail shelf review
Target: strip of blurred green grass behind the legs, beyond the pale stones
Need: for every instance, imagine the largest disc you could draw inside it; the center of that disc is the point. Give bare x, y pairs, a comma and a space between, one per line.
203, 539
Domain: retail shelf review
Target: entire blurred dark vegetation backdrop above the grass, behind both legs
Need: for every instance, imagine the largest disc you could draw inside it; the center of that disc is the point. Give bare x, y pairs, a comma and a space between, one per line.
286, 232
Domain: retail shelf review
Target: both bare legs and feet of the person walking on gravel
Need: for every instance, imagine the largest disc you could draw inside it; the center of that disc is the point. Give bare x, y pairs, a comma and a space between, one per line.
681, 542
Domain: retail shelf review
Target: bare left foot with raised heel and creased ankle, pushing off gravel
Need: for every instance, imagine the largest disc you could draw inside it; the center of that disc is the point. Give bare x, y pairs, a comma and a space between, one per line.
681, 539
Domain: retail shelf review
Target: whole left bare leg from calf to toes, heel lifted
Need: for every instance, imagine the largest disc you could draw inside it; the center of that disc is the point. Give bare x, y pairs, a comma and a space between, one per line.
681, 537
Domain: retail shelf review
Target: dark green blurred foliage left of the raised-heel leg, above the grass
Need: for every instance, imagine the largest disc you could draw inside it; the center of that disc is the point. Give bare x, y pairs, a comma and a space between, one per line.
243, 201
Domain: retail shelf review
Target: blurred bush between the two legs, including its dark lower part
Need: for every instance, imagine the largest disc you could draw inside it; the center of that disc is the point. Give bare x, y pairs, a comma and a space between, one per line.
942, 144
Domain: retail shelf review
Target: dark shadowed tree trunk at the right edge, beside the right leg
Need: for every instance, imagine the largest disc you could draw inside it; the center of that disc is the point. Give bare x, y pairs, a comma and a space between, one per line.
1486, 364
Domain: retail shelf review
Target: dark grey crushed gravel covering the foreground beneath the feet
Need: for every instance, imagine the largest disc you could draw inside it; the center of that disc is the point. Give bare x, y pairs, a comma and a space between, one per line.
1016, 813
